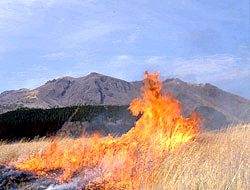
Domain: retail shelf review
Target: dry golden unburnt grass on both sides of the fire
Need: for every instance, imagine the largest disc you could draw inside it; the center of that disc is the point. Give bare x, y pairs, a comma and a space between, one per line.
219, 160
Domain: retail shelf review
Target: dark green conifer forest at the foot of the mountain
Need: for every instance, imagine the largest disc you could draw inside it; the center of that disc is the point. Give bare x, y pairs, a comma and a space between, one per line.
29, 123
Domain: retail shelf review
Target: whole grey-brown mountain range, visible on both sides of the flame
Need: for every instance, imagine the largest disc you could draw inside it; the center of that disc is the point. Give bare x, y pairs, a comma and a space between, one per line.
214, 104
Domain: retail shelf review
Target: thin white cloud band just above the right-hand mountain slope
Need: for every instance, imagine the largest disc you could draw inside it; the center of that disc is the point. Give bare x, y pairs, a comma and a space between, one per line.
211, 68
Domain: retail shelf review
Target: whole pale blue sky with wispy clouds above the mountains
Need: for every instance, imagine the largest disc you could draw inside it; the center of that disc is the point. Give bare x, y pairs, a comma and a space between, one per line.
202, 41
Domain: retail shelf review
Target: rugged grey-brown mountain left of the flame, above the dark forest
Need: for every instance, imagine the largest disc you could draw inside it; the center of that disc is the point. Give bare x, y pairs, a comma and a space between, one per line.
66, 91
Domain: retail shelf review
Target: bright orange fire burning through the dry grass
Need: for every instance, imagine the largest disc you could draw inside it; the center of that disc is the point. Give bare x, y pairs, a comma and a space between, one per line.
125, 162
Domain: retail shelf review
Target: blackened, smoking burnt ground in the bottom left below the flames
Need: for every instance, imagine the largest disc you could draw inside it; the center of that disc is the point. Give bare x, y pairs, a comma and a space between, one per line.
12, 179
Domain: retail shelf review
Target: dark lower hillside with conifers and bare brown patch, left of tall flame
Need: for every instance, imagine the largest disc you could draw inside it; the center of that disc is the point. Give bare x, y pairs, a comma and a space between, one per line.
67, 121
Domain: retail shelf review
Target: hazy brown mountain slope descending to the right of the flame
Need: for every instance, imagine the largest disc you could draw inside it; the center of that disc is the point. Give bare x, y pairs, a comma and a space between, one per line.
215, 105
